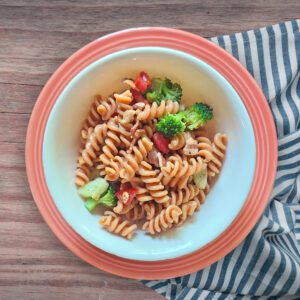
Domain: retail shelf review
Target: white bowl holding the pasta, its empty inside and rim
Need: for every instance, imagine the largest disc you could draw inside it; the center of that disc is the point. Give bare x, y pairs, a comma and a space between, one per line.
199, 82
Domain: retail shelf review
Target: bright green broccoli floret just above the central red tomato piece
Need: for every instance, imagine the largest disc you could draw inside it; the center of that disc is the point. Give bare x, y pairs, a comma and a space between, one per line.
170, 125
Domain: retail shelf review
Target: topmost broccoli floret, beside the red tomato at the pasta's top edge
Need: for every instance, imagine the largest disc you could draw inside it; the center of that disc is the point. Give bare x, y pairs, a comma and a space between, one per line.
164, 89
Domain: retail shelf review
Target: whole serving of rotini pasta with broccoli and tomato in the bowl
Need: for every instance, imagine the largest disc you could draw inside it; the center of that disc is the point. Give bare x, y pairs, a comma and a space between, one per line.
144, 158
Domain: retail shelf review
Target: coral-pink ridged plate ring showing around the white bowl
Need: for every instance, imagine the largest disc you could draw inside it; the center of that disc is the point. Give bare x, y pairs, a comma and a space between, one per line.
258, 111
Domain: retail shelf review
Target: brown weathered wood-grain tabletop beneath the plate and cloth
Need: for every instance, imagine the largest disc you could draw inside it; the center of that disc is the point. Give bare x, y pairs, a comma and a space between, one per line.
35, 38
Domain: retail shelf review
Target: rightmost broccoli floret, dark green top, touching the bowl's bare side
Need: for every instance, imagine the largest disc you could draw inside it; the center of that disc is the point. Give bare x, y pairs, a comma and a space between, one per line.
197, 115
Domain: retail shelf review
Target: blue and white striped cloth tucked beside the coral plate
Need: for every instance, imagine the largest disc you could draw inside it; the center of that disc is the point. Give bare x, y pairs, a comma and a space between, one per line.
266, 265
